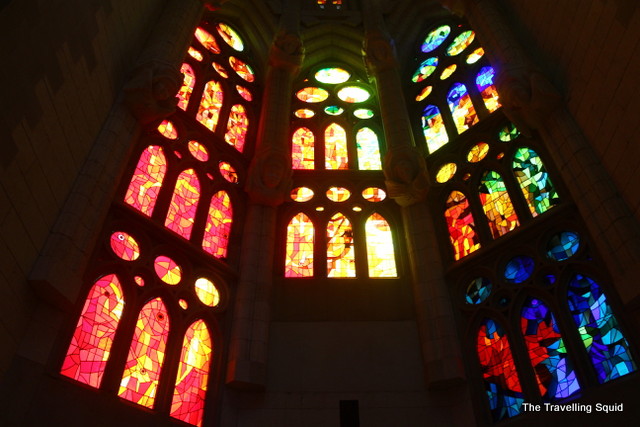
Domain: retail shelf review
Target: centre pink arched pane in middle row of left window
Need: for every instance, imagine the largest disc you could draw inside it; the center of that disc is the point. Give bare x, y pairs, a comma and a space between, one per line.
184, 204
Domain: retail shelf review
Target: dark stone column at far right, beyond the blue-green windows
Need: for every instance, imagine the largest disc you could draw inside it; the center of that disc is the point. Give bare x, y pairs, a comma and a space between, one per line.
532, 103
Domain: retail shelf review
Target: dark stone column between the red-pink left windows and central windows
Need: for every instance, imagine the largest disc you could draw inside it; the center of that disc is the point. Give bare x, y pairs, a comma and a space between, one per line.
268, 186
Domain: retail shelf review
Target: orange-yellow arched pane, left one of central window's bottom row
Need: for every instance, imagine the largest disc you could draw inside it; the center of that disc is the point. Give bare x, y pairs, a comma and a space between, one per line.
299, 248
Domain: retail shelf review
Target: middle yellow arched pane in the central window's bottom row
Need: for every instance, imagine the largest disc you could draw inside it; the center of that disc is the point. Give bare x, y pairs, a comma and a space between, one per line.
340, 253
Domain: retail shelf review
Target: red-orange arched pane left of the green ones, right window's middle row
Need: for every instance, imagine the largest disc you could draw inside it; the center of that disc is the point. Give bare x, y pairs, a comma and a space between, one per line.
462, 228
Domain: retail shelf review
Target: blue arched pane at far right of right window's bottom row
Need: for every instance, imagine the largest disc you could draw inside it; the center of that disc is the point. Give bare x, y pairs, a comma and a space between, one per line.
605, 343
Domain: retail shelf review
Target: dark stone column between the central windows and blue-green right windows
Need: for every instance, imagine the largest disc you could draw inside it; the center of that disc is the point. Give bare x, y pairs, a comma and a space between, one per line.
407, 182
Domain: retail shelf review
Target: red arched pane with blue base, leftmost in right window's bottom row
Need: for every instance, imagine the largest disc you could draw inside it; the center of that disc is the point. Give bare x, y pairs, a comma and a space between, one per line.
501, 380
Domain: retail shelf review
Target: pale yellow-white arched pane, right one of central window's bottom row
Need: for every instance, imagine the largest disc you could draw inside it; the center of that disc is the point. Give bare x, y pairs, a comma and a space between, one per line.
380, 250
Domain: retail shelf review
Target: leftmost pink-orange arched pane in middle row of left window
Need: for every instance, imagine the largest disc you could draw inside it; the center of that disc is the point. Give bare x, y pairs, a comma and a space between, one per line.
146, 181
